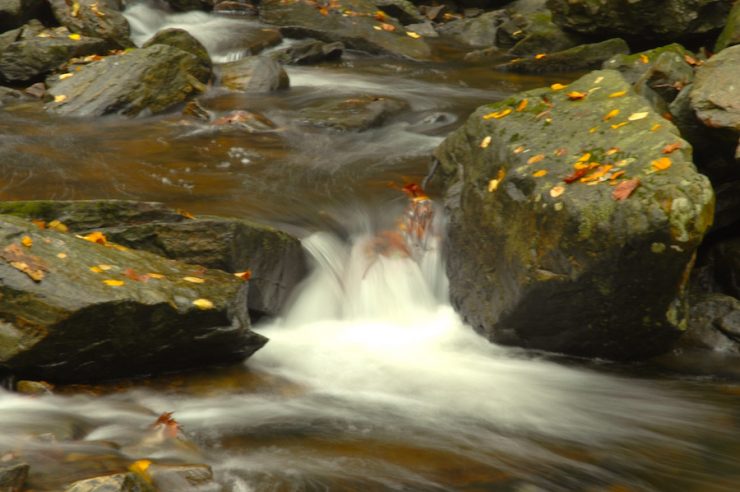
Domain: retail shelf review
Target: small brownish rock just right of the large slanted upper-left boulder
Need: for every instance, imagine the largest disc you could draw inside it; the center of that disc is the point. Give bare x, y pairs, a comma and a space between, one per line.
253, 74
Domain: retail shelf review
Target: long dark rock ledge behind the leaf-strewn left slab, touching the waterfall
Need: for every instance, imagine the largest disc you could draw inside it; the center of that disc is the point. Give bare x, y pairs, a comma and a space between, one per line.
276, 259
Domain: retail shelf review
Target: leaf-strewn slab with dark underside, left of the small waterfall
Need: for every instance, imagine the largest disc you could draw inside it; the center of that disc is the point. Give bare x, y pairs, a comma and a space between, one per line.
74, 310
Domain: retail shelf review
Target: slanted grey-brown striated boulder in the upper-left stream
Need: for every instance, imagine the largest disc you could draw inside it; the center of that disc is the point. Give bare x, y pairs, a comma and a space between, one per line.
147, 80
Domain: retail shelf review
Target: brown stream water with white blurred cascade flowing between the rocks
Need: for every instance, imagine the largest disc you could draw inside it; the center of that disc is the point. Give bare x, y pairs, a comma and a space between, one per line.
370, 380
